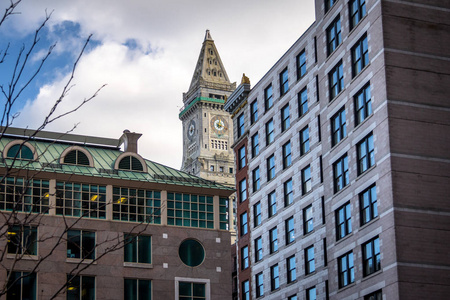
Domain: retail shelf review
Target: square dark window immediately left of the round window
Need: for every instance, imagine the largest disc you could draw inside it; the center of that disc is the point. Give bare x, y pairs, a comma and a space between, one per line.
138, 248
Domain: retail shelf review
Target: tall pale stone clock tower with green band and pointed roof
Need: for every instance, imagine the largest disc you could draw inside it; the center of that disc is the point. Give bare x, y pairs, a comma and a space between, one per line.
207, 127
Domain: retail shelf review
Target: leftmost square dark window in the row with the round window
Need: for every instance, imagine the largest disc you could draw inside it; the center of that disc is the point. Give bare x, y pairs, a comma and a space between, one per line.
22, 240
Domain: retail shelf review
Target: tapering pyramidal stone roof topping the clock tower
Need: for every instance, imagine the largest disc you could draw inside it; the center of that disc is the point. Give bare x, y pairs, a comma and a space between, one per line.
209, 66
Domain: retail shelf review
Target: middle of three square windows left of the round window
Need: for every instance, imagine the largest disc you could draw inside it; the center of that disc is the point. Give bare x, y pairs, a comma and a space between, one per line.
81, 244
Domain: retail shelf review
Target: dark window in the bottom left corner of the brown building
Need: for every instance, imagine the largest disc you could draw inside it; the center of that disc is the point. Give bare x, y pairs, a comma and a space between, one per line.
22, 286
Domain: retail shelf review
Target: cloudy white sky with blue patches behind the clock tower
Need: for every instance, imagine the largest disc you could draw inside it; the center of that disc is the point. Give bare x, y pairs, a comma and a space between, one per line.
146, 52
